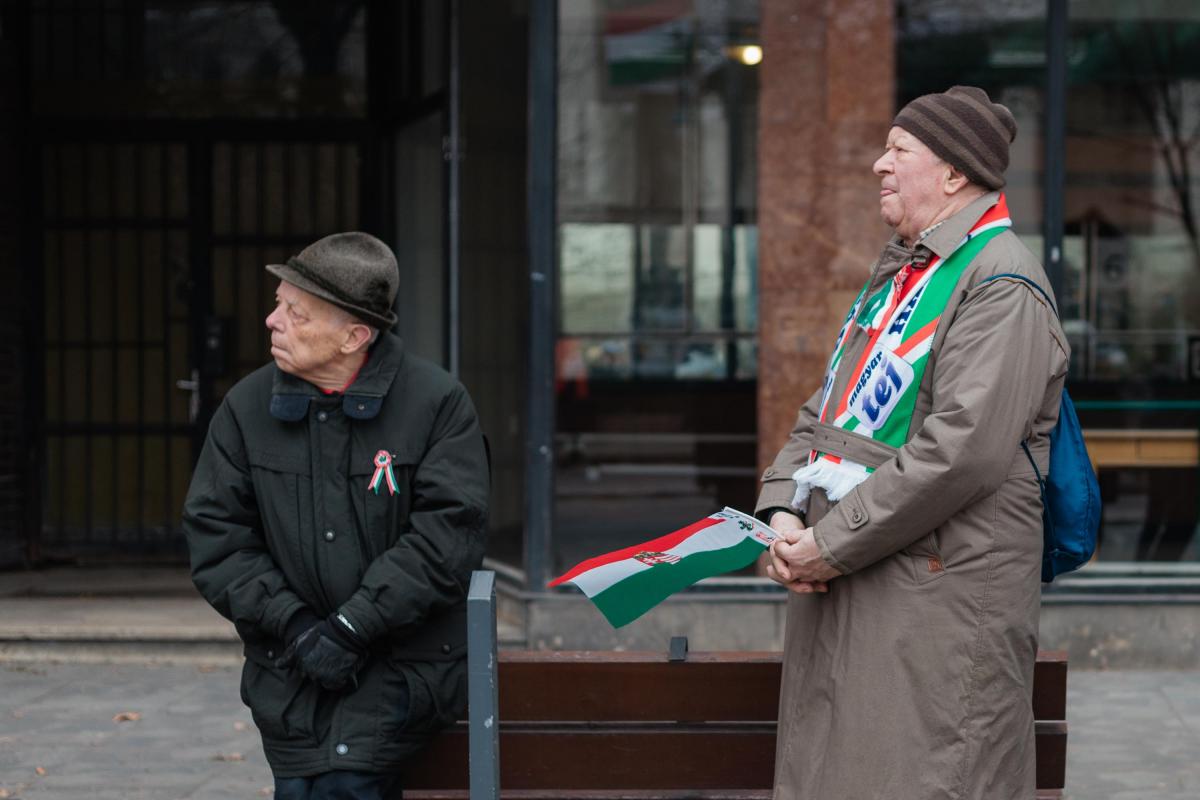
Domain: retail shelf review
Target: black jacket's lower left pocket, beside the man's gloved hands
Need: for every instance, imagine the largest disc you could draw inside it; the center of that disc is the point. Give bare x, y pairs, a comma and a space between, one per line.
283, 703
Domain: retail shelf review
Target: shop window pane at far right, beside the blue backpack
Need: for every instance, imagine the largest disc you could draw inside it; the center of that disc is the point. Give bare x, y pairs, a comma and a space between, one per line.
1133, 264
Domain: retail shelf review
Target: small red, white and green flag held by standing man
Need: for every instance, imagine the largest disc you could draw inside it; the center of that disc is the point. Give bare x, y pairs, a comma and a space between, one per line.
628, 584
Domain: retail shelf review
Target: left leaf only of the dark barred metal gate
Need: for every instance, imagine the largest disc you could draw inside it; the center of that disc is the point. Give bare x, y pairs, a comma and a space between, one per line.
117, 310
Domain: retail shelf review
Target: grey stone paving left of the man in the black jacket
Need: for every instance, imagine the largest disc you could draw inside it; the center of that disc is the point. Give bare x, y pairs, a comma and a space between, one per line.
193, 738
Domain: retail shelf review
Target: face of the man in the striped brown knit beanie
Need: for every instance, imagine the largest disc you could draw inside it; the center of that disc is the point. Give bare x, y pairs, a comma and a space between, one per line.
913, 182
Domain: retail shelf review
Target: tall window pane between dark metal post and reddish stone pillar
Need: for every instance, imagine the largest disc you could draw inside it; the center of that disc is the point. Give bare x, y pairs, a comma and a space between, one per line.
658, 268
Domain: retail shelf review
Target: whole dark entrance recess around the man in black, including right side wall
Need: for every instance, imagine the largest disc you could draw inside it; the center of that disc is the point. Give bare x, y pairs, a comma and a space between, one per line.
172, 148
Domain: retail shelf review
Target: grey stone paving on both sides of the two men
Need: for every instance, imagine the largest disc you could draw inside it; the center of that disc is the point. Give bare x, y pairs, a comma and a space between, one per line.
1135, 735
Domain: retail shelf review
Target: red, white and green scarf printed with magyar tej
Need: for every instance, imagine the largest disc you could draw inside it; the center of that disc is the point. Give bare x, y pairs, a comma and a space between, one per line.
901, 326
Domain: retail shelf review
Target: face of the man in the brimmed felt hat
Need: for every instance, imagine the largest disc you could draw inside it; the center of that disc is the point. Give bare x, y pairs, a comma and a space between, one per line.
307, 332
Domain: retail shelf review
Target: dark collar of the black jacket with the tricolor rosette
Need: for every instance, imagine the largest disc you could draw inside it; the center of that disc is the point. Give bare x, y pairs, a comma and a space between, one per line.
291, 396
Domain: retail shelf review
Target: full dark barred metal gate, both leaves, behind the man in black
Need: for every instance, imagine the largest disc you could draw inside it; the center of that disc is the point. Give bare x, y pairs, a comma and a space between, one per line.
154, 304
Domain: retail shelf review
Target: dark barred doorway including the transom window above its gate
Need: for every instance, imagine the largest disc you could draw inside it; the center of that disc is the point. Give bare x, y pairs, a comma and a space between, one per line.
176, 147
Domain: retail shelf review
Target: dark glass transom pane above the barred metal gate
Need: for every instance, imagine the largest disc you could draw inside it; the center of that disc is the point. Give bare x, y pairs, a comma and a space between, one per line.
201, 58
